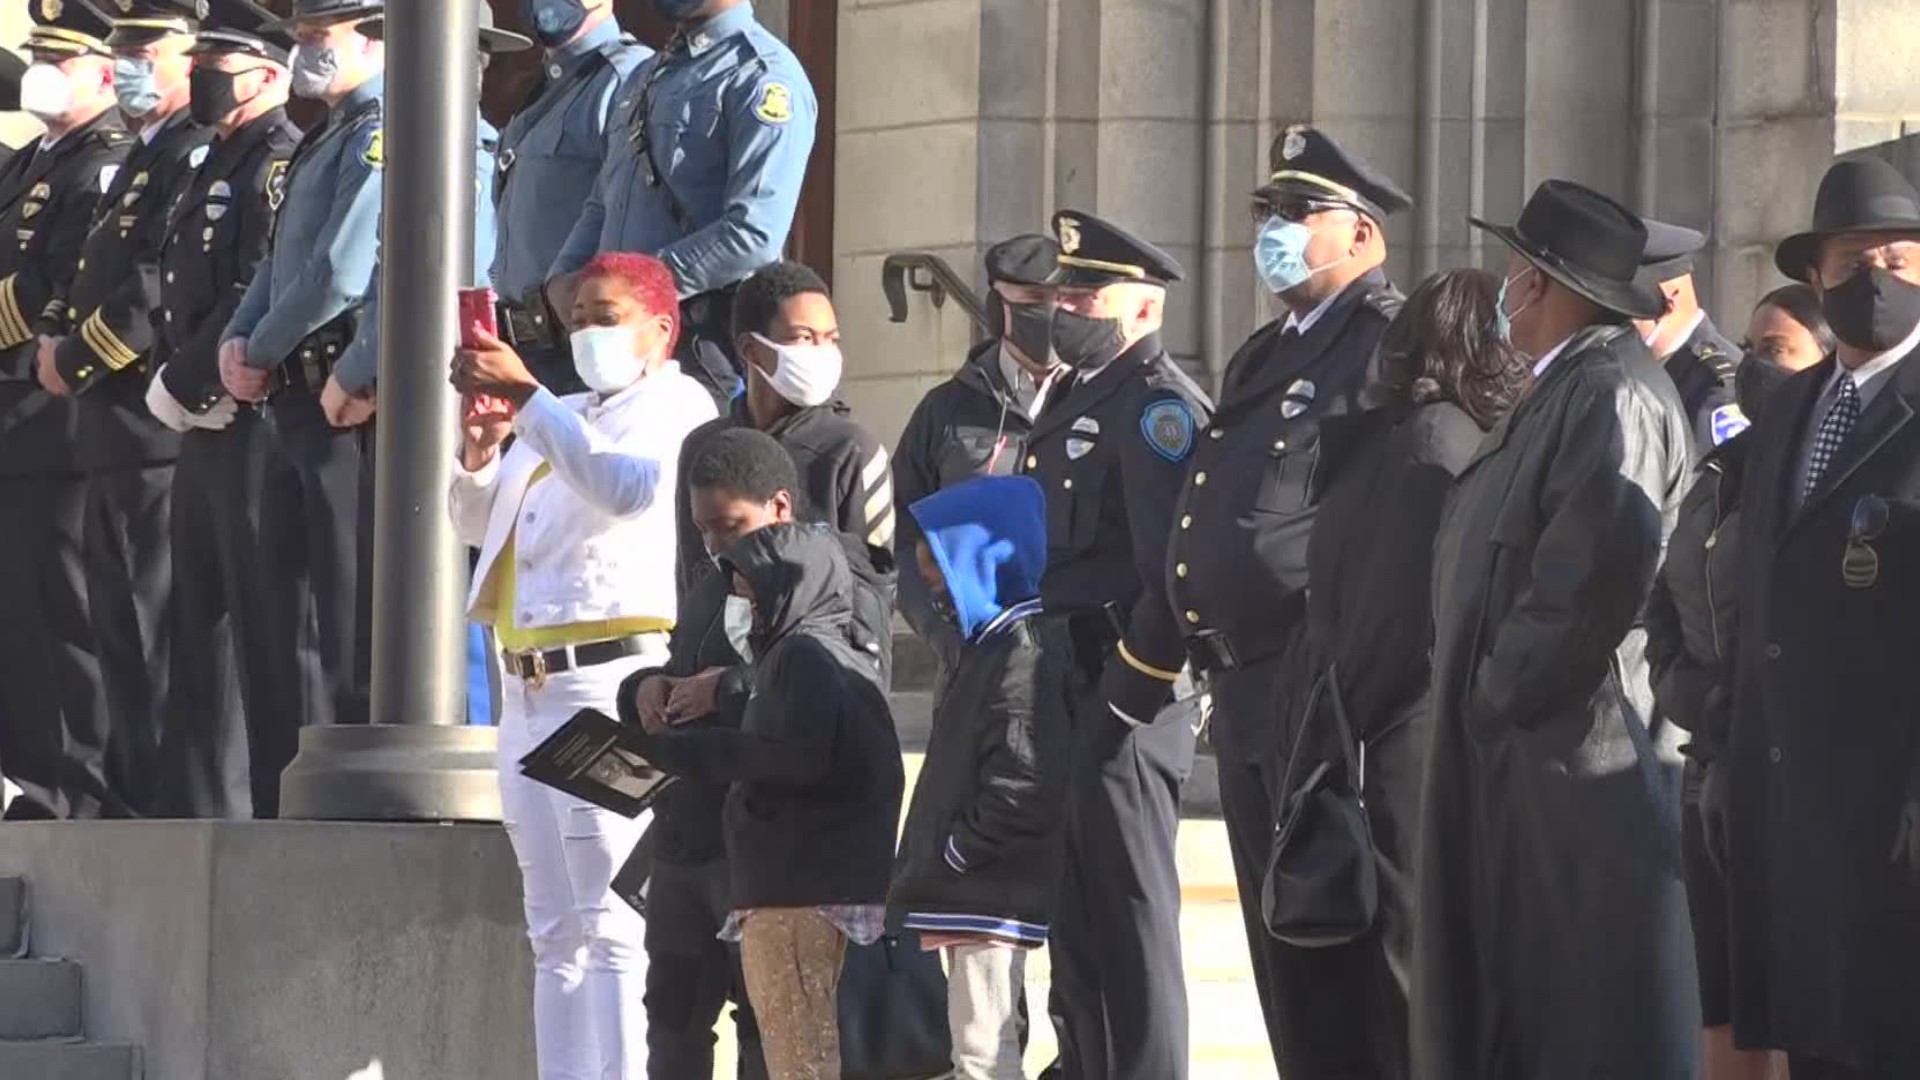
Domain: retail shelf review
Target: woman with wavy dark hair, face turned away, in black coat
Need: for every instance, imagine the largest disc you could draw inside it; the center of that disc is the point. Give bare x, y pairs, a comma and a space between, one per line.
1443, 380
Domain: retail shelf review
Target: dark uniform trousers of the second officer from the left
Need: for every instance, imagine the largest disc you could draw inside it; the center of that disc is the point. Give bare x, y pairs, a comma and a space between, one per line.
130, 579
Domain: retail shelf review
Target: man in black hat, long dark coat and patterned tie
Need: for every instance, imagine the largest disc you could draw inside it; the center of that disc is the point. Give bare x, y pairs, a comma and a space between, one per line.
1819, 793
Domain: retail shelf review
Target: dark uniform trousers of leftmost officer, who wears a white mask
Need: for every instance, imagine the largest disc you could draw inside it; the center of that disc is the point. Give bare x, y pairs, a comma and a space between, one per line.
55, 720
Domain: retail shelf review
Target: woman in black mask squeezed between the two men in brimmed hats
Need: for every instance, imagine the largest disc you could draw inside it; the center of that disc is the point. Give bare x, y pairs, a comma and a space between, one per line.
1691, 641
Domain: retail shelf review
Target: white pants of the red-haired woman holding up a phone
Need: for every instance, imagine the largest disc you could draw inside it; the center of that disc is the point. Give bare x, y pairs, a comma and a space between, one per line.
590, 960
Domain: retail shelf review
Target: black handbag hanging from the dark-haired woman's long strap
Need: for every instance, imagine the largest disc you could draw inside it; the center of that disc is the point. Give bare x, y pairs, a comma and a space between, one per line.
1324, 881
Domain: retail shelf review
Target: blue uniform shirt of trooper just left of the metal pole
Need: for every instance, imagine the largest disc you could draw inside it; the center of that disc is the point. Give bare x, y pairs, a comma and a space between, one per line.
325, 239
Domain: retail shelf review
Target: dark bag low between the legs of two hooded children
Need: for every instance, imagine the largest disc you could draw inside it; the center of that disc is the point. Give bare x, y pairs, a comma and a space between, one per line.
894, 1012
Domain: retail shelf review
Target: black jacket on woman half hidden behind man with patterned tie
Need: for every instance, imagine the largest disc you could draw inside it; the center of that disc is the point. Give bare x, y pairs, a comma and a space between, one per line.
1692, 610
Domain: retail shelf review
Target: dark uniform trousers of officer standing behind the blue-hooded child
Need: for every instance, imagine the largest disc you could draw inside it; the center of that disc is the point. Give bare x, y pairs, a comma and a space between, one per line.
1118, 985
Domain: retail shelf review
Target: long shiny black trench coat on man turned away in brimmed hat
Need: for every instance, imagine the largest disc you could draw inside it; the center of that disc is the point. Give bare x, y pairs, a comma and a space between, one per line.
1552, 931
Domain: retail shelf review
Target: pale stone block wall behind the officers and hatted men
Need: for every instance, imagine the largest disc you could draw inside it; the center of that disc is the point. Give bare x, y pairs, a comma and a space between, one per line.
963, 122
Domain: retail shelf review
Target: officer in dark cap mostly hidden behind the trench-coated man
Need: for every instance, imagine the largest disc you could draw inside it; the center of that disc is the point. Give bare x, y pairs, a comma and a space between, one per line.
1698, 358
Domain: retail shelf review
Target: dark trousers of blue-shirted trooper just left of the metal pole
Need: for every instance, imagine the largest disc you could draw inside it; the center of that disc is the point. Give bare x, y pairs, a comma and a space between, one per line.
312, 551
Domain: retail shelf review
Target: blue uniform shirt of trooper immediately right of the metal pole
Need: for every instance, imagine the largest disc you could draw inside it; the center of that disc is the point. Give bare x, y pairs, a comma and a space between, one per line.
552, 151
